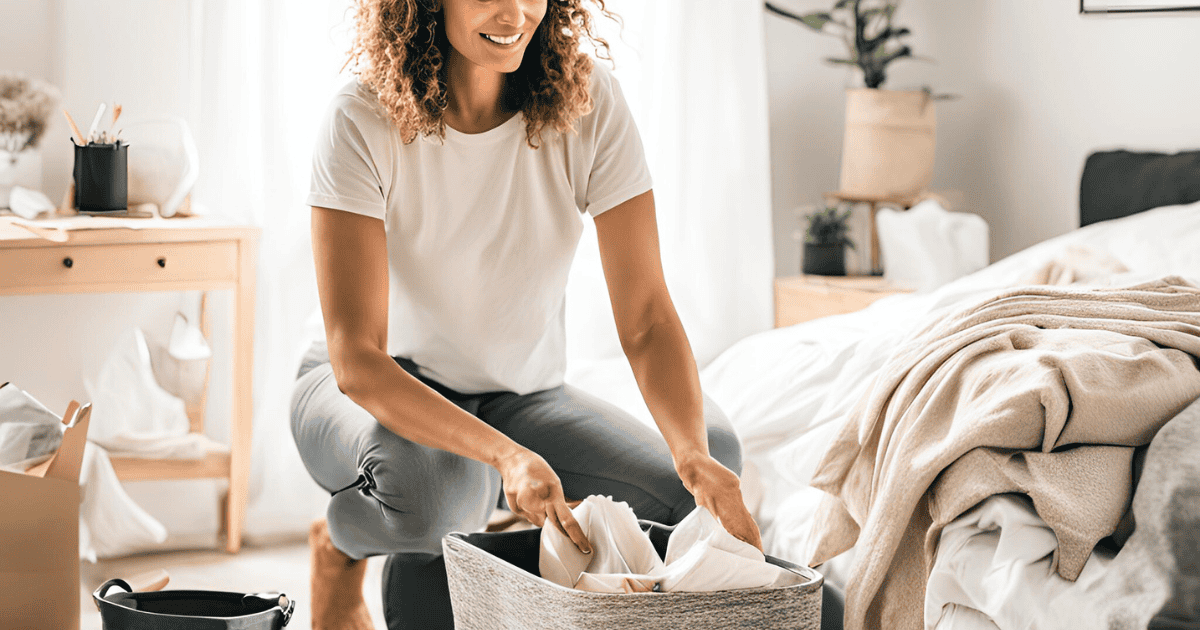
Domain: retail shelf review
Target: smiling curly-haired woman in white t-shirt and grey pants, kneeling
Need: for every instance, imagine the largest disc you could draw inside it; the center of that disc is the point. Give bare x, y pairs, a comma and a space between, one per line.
449, 185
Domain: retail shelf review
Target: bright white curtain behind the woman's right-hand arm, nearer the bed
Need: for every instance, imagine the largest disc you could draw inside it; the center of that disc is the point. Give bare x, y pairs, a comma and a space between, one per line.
694, 74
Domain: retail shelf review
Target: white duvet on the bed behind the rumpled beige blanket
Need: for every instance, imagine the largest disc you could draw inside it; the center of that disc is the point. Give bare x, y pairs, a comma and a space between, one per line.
787, 391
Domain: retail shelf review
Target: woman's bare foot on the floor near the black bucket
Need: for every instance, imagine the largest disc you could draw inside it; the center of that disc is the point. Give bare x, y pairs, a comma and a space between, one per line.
337, 583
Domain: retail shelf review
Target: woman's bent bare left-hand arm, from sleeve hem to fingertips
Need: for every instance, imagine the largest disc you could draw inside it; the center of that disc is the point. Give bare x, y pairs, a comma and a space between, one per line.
351, 255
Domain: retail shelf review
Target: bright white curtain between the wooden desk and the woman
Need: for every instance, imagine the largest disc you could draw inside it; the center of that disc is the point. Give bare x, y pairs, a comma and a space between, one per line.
267, 70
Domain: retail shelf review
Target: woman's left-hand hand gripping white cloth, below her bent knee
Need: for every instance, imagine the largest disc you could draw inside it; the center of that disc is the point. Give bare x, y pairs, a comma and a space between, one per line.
536, 495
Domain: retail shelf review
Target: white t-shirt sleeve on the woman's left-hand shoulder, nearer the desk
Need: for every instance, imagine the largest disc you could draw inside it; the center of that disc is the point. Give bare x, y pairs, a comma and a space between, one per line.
351, 160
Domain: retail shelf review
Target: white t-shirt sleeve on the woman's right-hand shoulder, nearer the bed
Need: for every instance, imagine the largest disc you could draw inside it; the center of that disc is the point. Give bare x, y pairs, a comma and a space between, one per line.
619, 169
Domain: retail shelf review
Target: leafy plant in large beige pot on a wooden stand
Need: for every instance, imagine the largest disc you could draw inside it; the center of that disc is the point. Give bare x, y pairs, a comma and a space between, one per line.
890, 139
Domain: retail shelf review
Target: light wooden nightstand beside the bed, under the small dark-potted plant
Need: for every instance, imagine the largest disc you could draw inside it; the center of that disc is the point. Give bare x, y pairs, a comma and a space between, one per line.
805, 298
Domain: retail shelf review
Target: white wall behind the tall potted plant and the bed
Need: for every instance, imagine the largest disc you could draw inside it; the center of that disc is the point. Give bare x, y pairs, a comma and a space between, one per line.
1042, 87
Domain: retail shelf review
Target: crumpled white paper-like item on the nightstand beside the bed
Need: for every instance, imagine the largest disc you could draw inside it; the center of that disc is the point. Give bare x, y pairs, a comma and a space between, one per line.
928, 247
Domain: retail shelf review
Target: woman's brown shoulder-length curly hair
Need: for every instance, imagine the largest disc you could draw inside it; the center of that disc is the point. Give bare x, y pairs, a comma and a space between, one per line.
400, 49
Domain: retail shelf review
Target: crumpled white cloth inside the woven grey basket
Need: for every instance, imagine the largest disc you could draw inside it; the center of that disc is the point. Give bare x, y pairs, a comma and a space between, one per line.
701, 555
